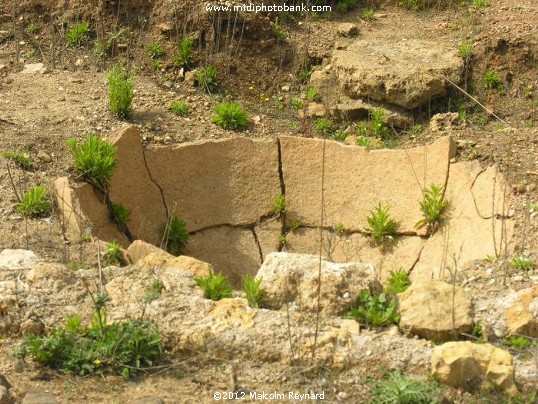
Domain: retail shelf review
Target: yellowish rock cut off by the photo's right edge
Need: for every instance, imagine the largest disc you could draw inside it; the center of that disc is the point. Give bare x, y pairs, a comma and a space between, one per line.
522, 315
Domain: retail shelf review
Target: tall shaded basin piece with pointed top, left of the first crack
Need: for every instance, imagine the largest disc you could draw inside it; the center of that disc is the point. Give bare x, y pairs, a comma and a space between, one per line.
132, 186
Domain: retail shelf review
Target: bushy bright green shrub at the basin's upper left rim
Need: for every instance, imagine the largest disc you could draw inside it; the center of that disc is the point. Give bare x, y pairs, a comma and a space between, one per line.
95, 159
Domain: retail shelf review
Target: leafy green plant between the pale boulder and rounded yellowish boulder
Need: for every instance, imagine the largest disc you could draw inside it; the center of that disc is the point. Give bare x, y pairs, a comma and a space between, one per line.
376, 311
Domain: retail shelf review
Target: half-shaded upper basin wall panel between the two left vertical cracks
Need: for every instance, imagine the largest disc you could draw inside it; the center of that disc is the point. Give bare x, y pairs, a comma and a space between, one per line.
229, 181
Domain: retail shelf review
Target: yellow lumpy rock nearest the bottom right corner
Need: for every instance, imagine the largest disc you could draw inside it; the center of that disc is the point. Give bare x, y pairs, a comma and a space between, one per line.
470, 365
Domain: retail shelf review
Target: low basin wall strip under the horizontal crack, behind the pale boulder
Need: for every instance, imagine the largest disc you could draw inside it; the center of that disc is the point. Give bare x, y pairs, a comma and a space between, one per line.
357, 248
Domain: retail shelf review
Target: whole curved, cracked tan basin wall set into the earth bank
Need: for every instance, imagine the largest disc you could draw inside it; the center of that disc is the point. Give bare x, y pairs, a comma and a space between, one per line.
225, 191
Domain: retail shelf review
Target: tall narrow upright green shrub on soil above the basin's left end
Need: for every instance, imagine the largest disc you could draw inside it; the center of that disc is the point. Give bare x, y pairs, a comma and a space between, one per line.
120, 92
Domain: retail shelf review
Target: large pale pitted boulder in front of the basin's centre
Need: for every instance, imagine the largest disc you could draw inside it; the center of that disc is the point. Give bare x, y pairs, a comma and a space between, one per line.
294, 278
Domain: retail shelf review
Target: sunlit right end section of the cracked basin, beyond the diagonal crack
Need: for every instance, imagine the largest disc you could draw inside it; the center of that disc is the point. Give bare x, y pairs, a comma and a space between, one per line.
468, 234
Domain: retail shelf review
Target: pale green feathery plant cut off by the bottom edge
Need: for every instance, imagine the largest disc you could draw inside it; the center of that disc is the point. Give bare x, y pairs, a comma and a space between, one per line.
398, 389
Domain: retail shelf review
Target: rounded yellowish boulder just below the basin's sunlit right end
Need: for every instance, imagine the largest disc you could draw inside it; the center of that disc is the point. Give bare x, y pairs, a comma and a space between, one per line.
435, 310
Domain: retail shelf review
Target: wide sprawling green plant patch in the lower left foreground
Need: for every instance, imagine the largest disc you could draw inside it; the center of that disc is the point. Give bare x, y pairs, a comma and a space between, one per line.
121, 348
